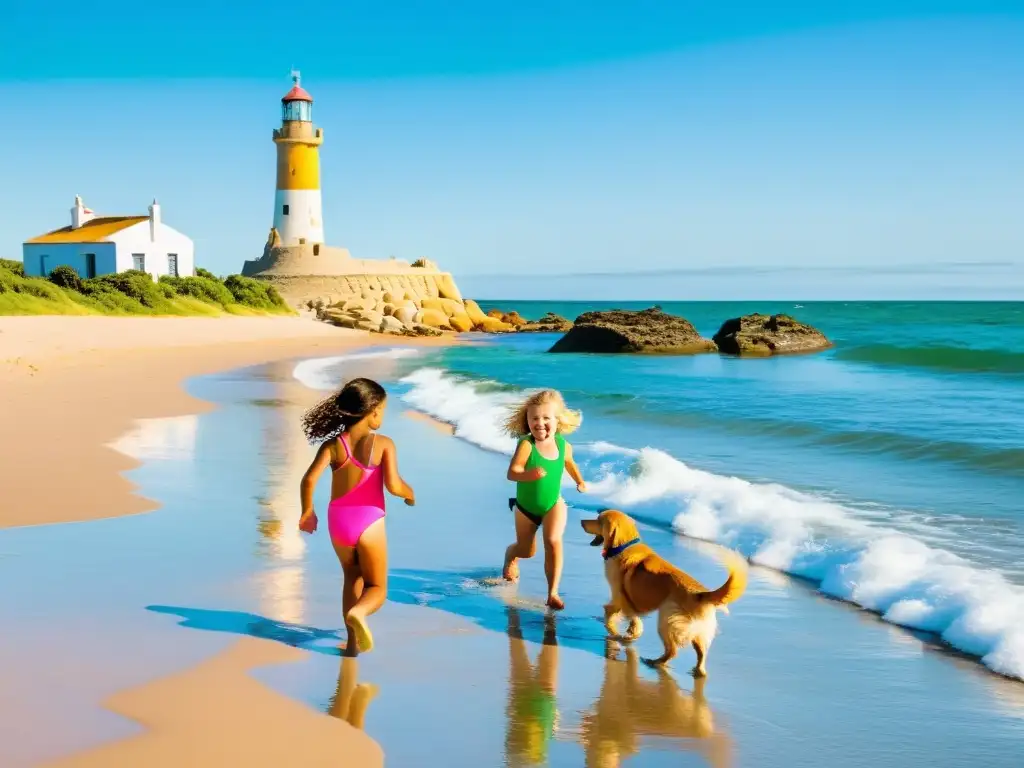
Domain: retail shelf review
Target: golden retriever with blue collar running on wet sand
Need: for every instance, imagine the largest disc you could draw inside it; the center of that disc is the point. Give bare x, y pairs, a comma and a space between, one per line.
643, 582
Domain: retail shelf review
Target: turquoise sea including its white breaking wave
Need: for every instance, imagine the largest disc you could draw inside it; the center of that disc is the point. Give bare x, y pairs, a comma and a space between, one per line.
889, 472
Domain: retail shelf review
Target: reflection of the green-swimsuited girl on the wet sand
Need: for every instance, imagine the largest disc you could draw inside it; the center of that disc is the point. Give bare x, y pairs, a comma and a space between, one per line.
532, 715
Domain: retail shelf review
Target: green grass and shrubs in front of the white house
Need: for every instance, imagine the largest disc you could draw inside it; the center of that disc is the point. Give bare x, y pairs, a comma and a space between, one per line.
135, 293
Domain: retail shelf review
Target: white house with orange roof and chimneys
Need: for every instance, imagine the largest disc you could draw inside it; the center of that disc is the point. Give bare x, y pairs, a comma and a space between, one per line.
102, 245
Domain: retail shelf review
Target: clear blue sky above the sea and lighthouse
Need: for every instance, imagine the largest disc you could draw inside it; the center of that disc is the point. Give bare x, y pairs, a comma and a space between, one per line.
727, 151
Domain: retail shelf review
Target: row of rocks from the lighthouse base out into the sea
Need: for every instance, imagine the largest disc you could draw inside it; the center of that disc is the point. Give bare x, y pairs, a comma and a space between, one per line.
649, 331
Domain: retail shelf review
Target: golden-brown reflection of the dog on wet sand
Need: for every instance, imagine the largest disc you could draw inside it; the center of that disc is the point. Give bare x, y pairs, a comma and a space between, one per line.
630, 709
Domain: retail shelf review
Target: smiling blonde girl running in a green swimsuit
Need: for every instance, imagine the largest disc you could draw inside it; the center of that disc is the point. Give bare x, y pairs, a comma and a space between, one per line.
537, 470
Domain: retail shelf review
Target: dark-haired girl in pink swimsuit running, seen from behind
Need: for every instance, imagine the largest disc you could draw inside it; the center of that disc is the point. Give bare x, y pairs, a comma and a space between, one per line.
363, 464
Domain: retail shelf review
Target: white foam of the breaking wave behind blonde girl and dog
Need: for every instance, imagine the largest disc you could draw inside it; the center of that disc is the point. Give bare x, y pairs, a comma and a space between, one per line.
848, 554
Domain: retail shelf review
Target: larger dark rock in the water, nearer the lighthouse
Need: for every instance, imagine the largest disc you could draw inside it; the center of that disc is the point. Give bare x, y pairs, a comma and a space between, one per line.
650, 331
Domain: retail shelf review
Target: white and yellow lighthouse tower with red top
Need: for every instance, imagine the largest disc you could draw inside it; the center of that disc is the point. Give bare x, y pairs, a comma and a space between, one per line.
298, 211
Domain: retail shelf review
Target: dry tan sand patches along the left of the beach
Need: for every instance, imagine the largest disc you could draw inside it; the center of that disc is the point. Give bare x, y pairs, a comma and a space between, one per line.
74, 386
